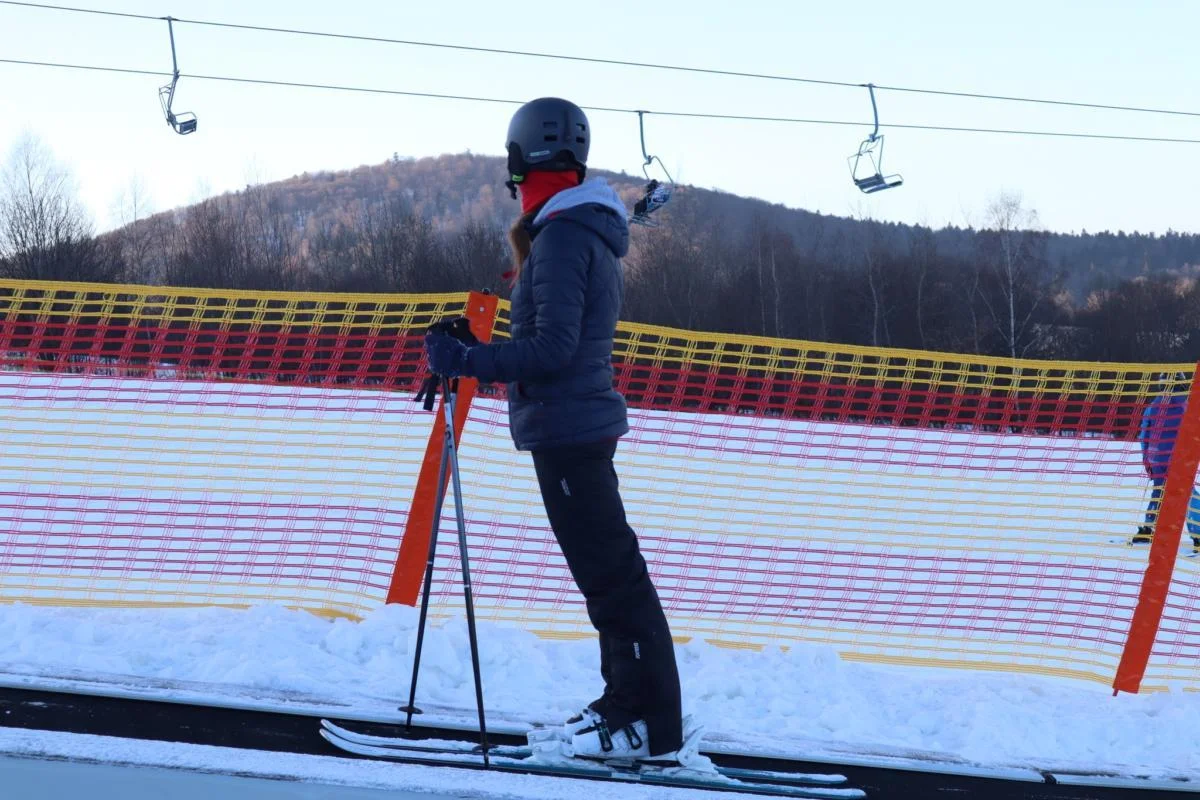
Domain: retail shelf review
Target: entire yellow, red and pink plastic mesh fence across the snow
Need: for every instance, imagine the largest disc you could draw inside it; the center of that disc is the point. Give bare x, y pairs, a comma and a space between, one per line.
172, 447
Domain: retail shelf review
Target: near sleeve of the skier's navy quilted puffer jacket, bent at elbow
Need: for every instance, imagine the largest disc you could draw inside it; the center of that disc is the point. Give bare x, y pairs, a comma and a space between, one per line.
559, 263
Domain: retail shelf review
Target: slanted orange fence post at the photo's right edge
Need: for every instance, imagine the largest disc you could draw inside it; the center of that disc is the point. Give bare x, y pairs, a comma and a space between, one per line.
1181, 474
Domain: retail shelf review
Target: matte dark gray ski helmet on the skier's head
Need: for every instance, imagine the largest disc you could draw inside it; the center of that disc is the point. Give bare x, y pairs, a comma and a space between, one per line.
548, 134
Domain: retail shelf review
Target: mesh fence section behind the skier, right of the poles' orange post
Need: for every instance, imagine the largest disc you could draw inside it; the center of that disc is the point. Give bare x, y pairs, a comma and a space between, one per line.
903, 507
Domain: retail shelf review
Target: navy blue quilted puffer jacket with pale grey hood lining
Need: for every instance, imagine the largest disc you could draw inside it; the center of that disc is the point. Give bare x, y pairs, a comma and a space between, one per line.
566, 305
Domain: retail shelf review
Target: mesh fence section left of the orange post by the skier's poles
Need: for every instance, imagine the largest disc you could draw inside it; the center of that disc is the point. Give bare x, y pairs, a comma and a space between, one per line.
176, 447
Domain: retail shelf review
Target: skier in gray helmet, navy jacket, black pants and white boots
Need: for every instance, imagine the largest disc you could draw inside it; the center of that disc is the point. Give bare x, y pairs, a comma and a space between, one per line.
563, 408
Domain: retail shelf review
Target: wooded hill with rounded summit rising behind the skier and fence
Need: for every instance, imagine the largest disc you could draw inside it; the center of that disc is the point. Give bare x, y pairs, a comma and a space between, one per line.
719, 263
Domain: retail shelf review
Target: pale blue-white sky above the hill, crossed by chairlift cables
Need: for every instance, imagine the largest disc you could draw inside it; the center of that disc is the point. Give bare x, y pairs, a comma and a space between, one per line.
109, 129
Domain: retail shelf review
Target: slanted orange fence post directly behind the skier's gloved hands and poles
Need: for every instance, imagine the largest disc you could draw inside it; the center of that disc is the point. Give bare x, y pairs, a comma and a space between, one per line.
415, 548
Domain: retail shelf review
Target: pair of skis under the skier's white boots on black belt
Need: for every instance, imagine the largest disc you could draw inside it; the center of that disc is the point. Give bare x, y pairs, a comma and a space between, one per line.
526, 759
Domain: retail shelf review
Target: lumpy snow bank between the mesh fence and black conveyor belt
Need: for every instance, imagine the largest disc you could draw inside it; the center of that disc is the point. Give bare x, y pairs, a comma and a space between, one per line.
805, 701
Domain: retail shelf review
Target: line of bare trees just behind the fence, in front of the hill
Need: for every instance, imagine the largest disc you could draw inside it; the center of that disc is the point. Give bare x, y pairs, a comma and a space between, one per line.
997, 291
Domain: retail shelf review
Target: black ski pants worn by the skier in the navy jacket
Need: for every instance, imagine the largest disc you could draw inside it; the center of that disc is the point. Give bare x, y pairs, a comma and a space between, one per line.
580, 490
